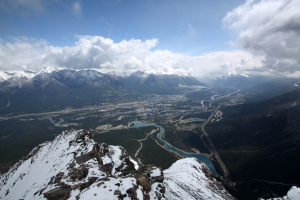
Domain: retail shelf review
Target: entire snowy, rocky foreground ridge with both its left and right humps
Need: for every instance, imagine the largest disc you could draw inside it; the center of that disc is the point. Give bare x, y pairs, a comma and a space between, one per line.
74, 166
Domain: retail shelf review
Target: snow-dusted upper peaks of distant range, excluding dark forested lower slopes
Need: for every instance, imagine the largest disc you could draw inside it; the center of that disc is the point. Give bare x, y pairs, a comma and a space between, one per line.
92, 78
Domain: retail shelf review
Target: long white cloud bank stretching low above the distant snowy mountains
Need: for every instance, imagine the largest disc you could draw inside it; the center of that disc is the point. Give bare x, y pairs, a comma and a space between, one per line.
95, 52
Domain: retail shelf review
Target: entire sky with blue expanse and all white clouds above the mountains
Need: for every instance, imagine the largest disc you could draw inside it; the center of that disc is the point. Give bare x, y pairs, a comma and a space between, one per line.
197, 37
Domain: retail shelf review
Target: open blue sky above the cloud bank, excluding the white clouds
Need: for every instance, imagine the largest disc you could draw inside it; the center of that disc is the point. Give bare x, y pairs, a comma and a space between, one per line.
190, 26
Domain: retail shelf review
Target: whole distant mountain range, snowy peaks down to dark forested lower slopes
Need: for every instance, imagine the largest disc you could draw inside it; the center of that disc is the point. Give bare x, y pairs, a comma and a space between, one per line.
58, 89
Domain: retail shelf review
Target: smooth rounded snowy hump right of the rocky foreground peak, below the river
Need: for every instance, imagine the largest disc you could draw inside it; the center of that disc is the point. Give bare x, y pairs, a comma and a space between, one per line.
190, 179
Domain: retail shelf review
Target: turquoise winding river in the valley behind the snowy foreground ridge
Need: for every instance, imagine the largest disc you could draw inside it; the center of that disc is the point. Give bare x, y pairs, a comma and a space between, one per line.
200, 157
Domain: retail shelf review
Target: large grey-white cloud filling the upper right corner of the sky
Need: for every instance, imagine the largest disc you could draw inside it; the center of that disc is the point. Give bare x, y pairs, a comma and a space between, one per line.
270, 28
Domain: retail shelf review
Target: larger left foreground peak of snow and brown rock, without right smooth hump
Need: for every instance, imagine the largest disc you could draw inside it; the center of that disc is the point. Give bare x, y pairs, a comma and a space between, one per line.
73, 166
